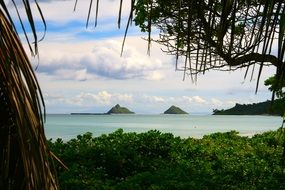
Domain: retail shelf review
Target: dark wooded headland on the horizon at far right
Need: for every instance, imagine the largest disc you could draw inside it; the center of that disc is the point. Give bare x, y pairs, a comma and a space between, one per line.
261, 108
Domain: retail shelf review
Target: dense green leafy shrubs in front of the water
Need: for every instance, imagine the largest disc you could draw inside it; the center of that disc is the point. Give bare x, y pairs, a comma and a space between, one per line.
155, 160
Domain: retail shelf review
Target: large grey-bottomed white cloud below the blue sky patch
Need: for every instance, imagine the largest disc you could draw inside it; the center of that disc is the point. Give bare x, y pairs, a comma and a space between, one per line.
83, 61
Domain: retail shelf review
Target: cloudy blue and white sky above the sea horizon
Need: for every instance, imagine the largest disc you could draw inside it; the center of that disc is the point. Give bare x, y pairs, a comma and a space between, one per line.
81, 70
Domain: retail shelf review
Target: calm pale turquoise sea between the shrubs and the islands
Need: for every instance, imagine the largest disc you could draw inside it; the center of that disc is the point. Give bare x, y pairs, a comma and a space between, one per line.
69, 126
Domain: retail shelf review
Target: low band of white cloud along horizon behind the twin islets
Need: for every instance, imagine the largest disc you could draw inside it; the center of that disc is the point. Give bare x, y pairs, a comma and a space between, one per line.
146, 103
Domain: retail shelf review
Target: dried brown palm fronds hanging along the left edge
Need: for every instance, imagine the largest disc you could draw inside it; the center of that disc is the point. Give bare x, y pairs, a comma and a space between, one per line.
24, 156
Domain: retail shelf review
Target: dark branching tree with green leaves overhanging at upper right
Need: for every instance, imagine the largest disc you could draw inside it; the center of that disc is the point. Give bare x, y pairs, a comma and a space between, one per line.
218, 34
